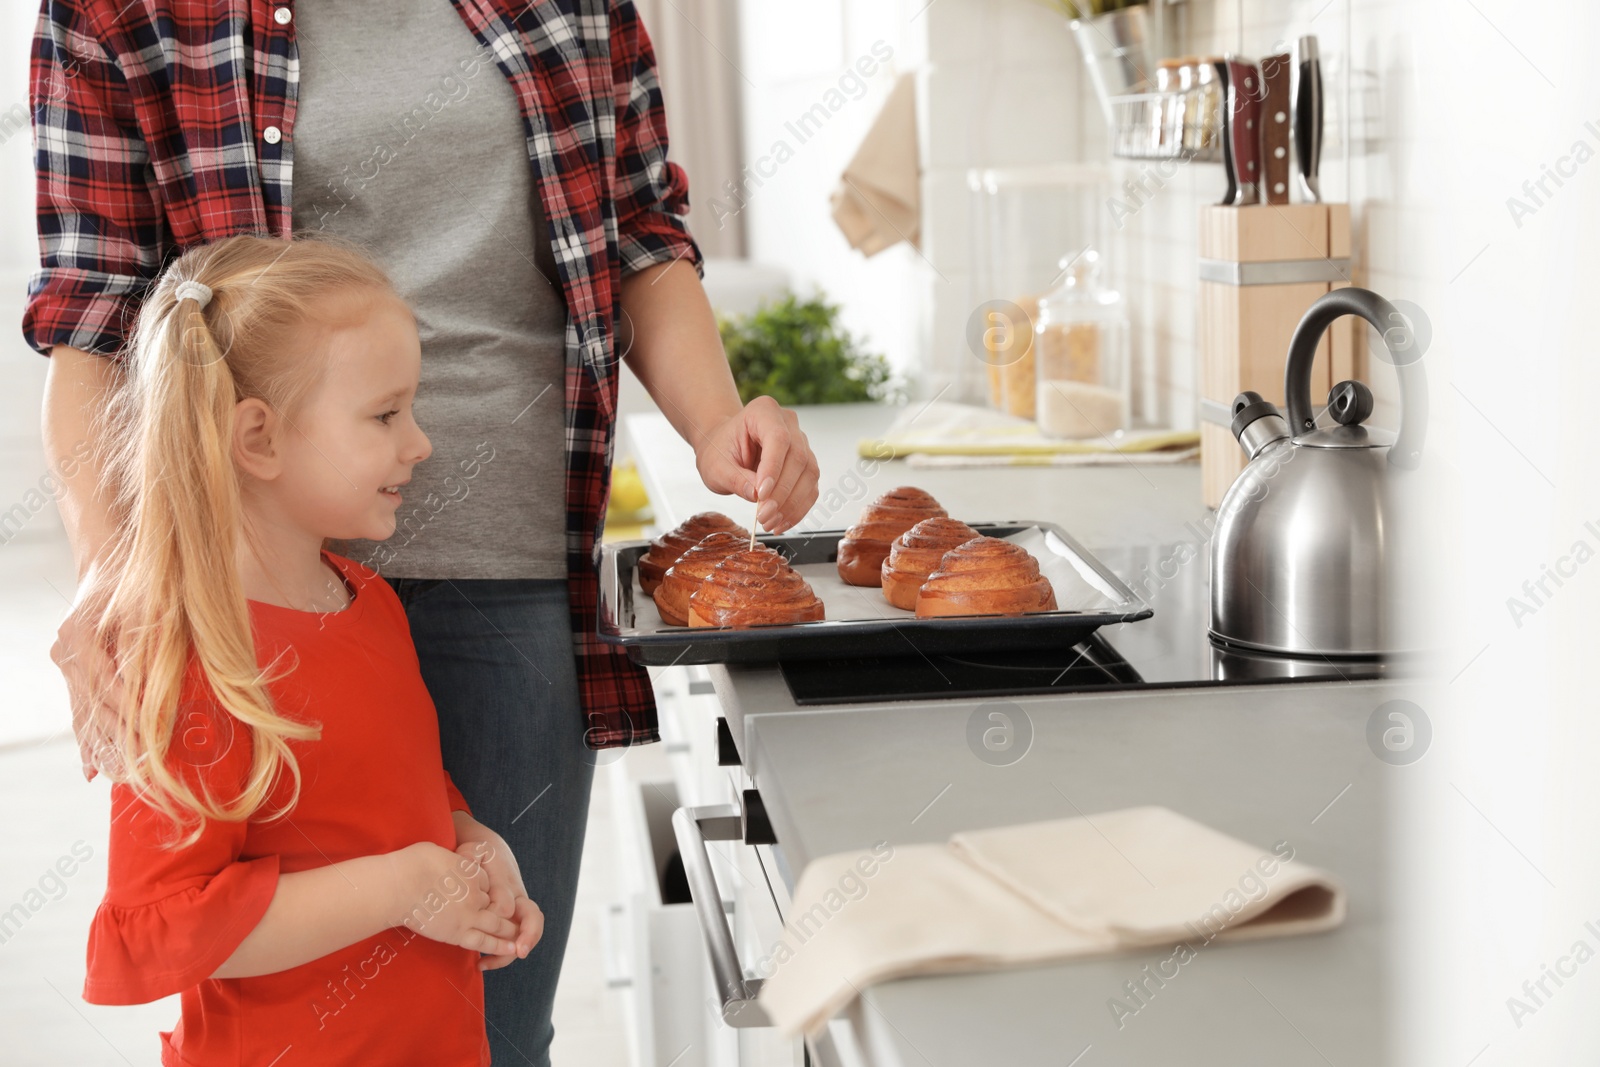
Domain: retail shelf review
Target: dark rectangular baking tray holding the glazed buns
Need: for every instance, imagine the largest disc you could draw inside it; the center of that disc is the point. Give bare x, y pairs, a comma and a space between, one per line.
630, 618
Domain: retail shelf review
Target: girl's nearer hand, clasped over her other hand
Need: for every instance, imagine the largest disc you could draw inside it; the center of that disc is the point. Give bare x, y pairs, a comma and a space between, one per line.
447, 898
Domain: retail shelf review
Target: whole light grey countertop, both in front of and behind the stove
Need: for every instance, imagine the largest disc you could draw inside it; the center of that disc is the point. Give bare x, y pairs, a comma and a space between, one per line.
1265, 764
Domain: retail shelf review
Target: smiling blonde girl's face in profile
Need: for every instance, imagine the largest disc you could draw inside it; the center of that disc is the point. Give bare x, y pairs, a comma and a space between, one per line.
350, 450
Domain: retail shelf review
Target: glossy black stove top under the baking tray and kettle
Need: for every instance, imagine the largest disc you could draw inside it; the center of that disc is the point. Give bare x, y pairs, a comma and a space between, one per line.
1170, 650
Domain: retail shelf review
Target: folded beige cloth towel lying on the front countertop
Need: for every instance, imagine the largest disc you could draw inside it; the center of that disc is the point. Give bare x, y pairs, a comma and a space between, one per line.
1033, 893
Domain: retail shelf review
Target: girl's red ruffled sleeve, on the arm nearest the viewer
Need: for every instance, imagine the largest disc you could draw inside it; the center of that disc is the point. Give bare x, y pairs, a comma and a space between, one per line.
172, 917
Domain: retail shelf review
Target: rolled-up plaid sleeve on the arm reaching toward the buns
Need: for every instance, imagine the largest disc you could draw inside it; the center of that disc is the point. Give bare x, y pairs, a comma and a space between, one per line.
652, 193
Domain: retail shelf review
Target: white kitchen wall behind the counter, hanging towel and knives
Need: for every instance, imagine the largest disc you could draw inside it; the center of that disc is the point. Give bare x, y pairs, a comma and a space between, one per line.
1001, 86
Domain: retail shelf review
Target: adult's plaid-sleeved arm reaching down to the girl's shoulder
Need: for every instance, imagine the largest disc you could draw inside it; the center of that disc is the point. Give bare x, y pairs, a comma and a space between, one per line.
102, 239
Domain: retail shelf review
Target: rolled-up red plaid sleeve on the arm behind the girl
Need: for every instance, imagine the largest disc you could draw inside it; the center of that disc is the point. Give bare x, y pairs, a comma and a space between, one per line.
100, 225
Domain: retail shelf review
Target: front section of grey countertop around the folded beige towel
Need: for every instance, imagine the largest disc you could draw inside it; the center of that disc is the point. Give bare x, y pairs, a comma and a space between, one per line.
1263, 764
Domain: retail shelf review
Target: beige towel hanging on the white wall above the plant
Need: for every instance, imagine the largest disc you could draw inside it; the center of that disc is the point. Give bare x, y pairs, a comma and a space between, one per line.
879, 196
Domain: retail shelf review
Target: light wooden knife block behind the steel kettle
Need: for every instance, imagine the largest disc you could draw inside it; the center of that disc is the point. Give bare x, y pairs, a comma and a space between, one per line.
1262, 268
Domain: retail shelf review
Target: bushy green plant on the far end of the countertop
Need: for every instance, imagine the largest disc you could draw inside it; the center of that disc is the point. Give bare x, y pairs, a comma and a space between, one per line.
798, 353
